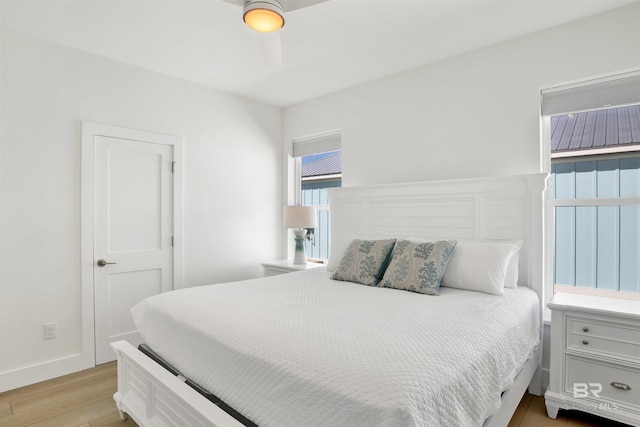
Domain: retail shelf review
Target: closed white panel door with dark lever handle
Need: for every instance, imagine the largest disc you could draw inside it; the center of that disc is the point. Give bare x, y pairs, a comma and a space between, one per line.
133, 227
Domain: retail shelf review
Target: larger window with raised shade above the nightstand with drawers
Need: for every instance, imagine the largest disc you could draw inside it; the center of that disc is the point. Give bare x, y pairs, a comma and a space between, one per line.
595, 186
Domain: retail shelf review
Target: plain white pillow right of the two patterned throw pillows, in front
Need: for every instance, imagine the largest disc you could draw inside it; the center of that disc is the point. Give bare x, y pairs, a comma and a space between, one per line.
479, 266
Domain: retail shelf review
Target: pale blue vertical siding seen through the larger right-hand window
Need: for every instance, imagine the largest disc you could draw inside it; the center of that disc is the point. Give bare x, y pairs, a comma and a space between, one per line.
597, 246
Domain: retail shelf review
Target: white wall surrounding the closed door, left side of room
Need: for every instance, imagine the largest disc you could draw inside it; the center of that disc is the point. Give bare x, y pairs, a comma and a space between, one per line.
232, 182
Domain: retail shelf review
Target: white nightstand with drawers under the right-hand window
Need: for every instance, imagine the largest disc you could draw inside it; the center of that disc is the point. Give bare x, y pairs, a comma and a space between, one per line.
595, 357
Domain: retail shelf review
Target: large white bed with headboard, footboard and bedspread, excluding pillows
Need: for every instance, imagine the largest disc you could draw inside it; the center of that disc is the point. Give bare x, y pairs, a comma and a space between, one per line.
304, 349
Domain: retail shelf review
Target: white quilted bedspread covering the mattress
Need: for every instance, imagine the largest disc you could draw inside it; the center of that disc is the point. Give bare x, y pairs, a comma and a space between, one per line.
302, 350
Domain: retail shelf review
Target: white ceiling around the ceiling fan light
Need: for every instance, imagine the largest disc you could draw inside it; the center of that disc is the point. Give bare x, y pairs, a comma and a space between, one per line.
325, 47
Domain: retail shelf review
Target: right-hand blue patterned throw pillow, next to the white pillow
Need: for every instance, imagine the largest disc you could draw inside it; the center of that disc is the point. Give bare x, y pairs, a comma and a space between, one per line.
418, 267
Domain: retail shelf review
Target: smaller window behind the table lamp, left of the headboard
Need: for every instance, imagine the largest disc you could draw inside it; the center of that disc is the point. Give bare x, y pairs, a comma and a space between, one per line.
318, 167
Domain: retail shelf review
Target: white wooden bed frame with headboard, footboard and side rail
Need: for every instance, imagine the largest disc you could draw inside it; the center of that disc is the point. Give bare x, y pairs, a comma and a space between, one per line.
484, 209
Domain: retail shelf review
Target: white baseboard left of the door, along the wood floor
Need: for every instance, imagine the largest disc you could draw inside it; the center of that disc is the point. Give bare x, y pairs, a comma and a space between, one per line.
28, 375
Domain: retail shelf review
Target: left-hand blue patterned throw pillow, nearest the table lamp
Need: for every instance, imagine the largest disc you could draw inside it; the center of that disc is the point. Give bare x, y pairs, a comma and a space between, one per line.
364, 261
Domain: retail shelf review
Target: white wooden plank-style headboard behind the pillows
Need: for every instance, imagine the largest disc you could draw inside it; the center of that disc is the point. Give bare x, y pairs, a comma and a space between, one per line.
482, 209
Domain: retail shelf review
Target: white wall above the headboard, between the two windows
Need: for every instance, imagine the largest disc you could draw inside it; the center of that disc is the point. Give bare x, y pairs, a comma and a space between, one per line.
473, 115
